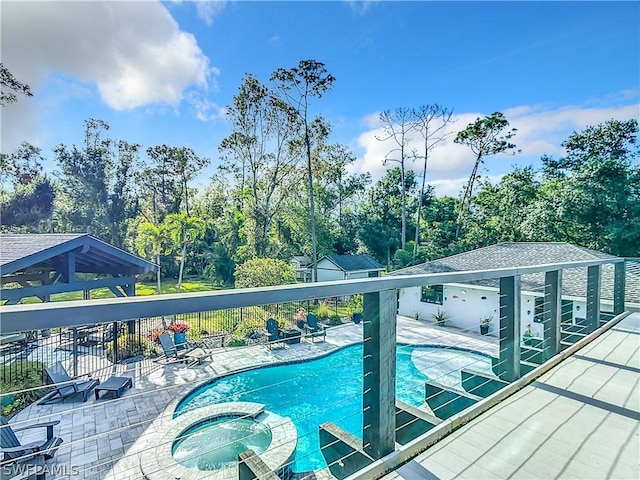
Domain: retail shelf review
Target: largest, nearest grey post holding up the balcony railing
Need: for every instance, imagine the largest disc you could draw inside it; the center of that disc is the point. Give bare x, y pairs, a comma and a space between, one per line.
379, 371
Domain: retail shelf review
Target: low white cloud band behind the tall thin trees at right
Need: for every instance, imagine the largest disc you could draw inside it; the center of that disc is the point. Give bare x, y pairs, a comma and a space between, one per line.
541, 130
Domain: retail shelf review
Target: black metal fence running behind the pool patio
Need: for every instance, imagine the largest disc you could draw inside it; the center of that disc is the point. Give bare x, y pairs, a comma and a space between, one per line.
90, 348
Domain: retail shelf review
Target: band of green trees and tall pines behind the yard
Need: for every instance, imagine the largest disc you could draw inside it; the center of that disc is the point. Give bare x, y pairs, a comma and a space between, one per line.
284, 187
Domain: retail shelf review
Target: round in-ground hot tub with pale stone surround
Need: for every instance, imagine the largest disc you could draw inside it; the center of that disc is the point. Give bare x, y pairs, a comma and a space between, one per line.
206, 442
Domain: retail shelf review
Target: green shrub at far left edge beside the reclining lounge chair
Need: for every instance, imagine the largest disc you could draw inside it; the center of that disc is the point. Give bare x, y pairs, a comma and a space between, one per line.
21, 377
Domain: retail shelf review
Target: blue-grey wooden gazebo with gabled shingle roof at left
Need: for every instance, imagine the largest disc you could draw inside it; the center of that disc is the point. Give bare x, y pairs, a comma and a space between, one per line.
46, 264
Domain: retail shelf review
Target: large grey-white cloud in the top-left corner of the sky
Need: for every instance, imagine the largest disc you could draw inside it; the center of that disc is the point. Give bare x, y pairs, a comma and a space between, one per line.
134, 52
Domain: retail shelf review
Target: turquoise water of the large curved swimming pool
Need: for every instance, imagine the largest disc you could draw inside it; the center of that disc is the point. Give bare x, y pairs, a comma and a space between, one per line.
329, 389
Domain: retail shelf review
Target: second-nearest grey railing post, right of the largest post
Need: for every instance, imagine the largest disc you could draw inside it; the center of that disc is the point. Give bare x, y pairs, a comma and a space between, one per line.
510, 296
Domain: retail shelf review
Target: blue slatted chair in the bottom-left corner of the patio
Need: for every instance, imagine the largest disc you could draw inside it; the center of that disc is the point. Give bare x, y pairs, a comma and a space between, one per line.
12, 449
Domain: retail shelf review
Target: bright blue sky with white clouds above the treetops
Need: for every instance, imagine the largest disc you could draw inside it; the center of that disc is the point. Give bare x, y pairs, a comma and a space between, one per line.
163, 72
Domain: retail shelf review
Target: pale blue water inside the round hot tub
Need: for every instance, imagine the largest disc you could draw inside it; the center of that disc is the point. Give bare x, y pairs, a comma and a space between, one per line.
216, 444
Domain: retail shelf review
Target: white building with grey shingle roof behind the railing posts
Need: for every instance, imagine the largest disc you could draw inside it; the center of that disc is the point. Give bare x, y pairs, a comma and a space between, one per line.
466, 304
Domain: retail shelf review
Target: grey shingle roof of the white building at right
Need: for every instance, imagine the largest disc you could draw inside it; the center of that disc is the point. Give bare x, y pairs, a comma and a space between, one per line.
514, 254
